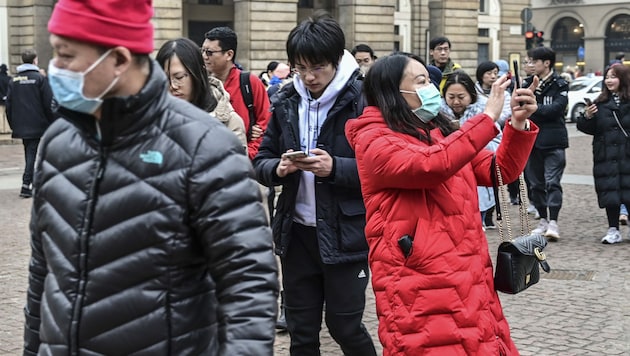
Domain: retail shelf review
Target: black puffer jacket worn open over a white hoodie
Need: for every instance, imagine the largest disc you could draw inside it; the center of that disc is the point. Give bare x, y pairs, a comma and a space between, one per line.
339, 205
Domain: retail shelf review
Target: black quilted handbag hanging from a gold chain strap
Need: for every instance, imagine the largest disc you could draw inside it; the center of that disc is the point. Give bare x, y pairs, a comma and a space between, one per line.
517, 259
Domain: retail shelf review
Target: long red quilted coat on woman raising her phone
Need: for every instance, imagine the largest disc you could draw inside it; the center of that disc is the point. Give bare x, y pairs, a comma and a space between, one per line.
440, 300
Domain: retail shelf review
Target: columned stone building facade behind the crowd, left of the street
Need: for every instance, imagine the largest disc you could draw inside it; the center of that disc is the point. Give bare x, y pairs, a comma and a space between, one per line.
478, 29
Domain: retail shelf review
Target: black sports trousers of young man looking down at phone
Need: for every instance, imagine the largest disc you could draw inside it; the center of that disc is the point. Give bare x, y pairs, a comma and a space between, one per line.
309, 284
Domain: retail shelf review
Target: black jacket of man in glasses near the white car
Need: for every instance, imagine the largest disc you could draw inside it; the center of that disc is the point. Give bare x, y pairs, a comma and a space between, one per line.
552, 101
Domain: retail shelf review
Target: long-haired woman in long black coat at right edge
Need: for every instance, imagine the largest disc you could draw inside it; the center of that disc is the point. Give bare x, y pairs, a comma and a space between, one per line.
608, 120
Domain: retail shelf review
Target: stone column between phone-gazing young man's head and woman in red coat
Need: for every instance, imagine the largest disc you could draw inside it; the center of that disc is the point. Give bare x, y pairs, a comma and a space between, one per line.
368, 21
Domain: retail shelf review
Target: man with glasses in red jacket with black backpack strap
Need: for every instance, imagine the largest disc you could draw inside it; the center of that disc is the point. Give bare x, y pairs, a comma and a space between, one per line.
219, 54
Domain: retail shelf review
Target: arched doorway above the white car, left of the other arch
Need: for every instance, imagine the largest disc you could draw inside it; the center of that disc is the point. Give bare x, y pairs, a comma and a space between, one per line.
567, 37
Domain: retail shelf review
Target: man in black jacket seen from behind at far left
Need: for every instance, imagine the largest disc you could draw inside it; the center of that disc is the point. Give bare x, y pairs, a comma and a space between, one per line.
29, 112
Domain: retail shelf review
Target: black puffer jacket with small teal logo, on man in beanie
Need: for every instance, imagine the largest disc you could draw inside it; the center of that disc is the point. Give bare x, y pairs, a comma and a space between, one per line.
151, 241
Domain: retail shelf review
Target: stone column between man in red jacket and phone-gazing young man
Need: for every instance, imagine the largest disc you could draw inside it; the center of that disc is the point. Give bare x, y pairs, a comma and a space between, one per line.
263, 28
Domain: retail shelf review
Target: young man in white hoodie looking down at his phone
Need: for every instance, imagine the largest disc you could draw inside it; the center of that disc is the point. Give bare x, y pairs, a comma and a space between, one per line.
320, 217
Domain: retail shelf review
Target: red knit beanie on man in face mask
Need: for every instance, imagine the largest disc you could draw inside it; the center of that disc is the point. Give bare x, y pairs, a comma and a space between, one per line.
108, 23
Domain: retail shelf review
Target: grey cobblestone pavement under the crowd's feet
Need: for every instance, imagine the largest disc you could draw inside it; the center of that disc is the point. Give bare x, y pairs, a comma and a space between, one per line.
581, 308
